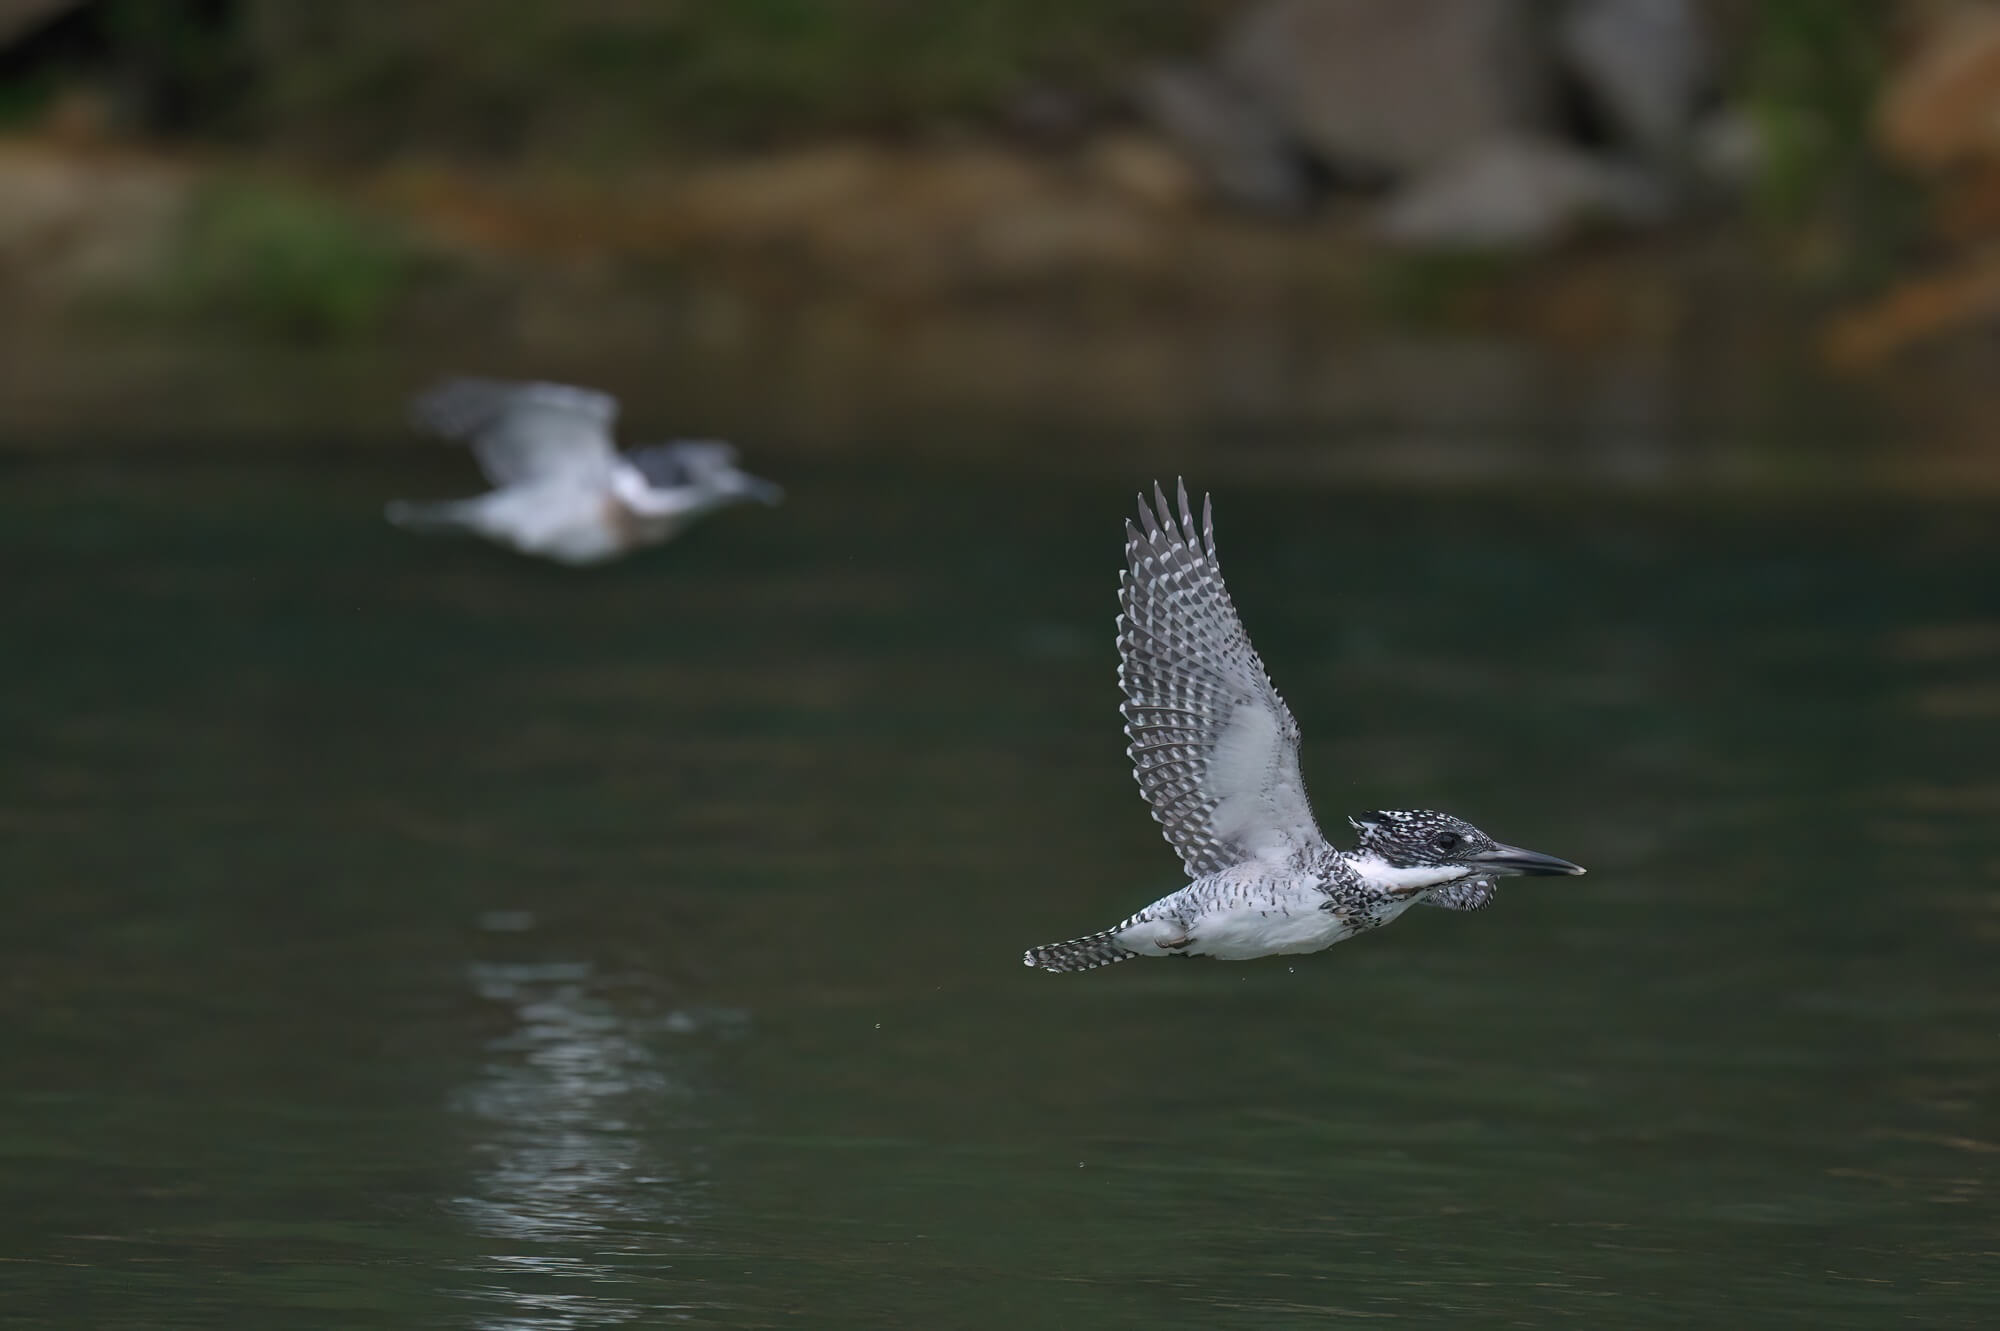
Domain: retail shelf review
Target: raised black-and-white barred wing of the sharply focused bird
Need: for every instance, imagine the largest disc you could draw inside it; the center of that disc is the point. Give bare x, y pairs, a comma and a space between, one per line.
1213, 746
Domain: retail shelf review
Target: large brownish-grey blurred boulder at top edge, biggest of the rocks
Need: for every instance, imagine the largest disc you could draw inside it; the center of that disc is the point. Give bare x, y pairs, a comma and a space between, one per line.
1393, 87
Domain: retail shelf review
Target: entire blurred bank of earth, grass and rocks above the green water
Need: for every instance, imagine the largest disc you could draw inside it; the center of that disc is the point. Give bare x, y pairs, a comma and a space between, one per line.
1699, 239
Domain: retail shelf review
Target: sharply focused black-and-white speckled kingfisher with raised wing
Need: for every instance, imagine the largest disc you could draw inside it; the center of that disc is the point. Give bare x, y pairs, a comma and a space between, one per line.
1217, 756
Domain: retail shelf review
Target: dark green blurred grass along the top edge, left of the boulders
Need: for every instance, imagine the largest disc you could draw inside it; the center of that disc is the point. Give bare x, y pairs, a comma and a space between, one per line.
607, 79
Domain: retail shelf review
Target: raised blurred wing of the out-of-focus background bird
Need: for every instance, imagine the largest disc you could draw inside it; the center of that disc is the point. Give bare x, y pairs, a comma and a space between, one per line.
525, 433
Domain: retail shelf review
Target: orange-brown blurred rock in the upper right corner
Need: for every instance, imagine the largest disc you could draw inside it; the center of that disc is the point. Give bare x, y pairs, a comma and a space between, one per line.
1943, 101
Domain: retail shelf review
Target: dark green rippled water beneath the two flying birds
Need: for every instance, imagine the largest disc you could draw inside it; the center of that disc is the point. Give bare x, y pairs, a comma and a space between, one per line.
403, 934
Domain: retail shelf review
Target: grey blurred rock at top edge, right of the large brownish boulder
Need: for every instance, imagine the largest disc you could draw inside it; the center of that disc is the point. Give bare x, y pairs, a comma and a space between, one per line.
1647, 63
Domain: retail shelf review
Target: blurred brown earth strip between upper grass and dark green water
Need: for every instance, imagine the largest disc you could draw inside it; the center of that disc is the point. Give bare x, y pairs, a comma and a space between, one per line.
955, 297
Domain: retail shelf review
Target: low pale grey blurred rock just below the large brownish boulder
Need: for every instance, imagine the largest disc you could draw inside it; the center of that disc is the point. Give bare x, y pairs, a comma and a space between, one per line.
1515, 193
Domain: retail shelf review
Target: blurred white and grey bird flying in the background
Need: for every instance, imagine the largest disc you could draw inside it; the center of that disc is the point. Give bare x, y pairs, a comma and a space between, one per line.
561, 487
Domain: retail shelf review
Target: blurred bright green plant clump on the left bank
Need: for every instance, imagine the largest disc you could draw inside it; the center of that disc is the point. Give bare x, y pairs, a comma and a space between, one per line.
285, 265
